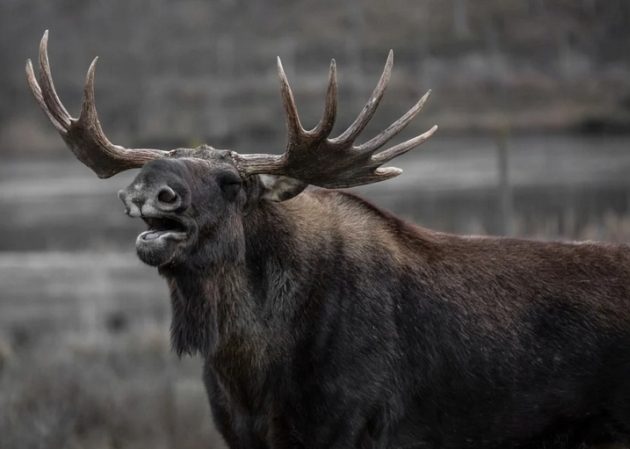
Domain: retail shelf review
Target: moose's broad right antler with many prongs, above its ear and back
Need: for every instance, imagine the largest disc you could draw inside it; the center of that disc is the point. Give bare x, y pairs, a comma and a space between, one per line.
314, 158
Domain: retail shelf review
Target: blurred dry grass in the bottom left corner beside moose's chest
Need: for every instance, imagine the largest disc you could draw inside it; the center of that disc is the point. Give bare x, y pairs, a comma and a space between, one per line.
125, 393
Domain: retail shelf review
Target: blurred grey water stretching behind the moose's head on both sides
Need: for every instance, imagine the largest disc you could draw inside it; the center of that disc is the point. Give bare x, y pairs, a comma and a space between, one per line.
451, 184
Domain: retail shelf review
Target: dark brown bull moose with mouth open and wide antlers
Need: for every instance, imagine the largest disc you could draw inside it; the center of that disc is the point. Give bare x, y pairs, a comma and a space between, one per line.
326, 322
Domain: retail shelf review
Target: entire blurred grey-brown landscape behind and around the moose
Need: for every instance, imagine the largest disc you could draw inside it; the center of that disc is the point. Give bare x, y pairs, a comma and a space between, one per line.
533, 102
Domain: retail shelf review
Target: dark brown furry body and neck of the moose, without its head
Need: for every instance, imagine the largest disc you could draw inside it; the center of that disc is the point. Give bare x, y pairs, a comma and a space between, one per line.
343, 326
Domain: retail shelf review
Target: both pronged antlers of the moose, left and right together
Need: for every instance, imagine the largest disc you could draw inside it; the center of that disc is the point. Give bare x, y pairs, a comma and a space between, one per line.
311, 156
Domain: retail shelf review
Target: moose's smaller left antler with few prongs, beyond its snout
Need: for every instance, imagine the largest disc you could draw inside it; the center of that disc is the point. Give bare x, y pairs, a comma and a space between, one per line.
83, 135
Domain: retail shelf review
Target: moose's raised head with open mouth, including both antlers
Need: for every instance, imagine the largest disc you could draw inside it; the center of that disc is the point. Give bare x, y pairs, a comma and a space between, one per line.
192, 199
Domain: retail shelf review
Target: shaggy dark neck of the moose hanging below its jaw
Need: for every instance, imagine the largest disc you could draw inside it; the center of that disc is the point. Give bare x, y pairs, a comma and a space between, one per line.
223, 300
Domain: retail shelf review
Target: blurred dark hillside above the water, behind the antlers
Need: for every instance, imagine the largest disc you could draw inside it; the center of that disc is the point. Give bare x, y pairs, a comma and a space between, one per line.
181, 73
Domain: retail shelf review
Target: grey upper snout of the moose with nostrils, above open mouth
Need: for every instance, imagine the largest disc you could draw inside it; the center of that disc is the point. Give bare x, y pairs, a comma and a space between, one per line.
142, 200
